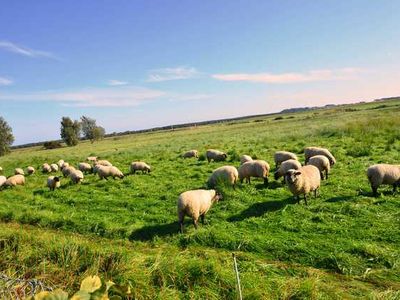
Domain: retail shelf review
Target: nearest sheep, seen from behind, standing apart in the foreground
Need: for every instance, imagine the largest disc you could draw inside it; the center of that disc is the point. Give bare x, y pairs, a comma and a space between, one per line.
195, 204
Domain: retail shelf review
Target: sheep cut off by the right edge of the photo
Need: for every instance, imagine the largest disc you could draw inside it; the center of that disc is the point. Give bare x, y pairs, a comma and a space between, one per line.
383, 174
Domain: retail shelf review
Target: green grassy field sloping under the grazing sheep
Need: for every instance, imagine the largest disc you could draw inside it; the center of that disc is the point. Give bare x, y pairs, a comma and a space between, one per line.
344, 245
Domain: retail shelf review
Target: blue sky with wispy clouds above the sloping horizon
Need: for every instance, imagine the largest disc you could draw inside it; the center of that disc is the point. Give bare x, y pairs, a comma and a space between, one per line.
140, 64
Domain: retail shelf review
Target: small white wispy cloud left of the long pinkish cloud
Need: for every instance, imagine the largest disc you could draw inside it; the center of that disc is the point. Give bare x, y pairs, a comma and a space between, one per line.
178, 73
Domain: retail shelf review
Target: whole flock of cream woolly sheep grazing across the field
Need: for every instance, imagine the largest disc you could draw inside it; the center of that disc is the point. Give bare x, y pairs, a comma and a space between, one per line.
301, 180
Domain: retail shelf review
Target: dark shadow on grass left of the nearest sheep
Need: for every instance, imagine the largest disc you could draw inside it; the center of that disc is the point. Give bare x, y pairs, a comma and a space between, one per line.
147, 233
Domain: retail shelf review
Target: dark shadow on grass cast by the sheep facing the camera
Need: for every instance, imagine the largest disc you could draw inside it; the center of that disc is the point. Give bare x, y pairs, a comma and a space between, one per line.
260, 208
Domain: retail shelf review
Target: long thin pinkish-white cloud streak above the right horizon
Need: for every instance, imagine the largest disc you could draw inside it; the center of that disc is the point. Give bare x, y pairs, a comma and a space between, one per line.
314, 75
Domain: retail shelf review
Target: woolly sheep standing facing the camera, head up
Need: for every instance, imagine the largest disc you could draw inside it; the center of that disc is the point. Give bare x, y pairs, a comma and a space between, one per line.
303, 181
